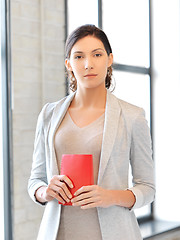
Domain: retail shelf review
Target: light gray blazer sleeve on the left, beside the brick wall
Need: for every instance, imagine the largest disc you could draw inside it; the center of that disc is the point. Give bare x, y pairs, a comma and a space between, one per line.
38, 175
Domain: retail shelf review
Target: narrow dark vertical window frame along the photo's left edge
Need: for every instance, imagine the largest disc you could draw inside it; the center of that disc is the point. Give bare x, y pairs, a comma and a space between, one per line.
6, 117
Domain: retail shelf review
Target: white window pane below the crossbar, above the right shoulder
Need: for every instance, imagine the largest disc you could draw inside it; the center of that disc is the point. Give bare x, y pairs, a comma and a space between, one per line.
133, 88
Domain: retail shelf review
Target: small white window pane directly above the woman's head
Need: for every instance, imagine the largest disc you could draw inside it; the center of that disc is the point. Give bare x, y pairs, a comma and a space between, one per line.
82, 12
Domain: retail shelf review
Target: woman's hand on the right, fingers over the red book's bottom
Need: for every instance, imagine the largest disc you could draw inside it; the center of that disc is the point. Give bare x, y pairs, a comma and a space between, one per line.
92, 196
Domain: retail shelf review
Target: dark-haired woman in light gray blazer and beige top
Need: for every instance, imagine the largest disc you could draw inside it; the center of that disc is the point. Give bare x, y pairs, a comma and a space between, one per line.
92, 121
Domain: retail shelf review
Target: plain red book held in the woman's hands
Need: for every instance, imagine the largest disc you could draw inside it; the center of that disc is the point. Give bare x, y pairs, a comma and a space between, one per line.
79, 169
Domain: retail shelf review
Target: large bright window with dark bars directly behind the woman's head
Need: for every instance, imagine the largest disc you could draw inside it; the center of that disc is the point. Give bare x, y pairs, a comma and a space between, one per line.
129, 35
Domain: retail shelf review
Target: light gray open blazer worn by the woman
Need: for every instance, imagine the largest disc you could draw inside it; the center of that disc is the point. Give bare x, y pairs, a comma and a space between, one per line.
126, 139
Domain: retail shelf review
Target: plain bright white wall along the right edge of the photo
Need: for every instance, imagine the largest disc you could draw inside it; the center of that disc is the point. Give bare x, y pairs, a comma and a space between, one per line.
166, 82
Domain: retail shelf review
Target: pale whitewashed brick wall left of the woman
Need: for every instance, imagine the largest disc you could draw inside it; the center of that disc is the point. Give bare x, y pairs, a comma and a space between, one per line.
38, 77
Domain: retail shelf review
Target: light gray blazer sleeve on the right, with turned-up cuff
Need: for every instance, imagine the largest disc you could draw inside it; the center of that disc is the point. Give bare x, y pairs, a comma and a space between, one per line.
141, 161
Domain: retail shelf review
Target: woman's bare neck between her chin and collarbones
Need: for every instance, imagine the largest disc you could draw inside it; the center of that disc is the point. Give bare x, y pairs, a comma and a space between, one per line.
90, 98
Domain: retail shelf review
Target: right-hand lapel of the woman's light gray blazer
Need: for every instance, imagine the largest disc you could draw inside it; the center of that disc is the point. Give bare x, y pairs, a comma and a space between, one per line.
112, 114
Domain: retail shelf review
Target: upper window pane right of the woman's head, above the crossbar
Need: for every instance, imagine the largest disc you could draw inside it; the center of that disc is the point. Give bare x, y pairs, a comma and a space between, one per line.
127, 25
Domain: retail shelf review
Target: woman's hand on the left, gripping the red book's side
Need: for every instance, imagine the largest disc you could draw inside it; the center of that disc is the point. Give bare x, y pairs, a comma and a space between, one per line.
57, 188
